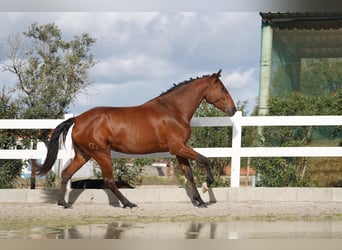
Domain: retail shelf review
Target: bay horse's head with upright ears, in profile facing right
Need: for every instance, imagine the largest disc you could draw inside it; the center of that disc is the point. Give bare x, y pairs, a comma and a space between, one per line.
218, 95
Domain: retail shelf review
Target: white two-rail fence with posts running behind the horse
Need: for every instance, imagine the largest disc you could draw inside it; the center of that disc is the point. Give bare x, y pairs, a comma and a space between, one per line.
235, 152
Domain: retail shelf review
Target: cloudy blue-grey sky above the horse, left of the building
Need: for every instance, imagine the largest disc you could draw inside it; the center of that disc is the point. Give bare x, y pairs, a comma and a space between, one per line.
141, 54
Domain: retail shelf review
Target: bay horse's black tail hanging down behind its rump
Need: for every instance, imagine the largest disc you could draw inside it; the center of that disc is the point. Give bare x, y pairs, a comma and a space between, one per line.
54, 146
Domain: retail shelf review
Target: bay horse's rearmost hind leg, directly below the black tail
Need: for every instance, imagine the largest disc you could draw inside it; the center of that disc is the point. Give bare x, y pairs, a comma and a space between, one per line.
78, 161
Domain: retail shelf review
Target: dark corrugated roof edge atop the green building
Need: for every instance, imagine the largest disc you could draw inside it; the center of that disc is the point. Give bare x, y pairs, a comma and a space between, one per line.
303, 20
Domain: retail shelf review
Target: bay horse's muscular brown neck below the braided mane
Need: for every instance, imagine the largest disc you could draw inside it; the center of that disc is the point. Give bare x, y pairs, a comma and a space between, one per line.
185, 100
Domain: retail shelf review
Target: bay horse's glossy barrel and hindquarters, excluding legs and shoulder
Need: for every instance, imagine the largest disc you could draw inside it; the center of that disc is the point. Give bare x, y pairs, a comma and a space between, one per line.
138, 129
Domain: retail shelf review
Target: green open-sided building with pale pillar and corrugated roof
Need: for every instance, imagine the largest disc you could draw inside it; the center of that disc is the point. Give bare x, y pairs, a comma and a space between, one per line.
300, 52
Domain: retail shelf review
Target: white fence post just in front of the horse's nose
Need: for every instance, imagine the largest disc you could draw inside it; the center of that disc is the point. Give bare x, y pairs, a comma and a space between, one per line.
236, 150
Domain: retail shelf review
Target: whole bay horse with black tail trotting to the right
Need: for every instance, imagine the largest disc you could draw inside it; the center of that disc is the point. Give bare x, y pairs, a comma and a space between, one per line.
162, 124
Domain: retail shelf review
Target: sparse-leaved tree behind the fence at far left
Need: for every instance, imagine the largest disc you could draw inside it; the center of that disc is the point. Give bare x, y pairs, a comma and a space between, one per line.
50, 73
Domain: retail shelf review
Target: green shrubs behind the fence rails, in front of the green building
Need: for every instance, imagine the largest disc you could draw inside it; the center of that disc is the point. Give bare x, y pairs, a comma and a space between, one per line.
292, 171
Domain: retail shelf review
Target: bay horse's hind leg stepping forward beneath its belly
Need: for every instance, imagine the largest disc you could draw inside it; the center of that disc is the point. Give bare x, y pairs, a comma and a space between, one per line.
104, 160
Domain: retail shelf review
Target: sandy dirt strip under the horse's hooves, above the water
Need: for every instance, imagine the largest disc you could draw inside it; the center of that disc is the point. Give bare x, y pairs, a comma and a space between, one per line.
15, 213
